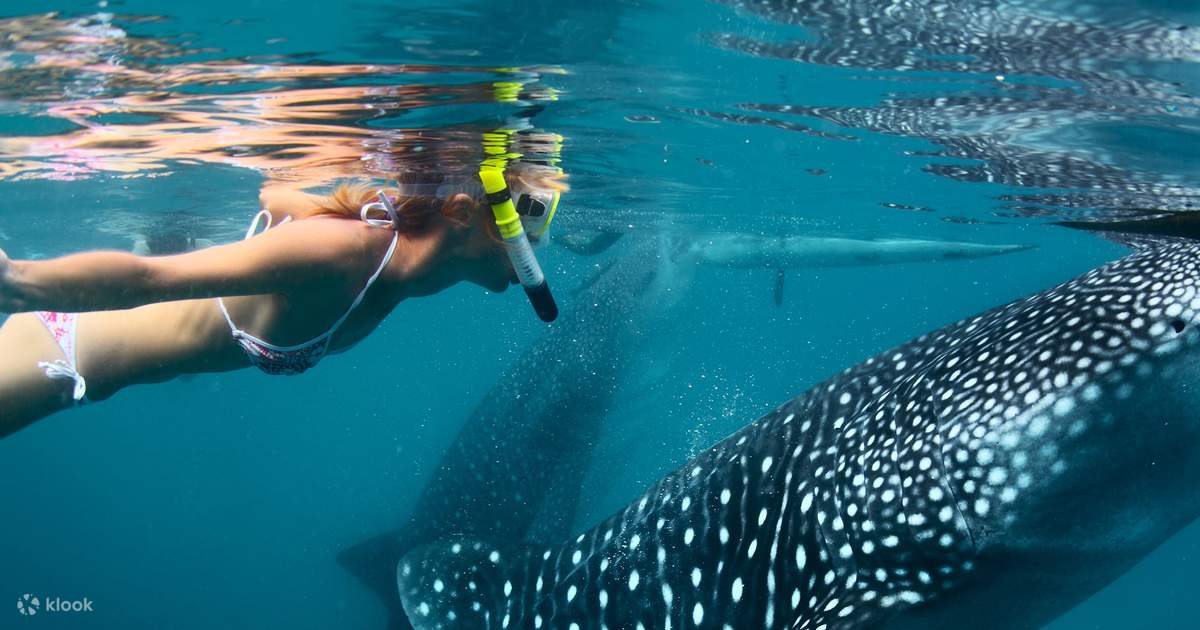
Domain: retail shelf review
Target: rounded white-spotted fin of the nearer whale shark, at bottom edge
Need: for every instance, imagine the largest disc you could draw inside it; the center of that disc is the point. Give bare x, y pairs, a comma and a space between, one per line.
459, 584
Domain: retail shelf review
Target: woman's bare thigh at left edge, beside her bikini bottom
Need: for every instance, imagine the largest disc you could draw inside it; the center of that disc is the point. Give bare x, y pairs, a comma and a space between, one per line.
27, 394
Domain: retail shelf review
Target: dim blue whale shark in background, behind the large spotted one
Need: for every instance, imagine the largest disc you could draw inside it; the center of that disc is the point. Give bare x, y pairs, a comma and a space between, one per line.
518, 464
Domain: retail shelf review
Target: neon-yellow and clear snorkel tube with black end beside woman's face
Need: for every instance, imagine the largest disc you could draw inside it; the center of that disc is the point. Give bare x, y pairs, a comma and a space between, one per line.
517, 244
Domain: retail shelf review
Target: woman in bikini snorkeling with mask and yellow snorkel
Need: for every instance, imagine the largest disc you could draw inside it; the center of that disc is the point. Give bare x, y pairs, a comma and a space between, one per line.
320, 277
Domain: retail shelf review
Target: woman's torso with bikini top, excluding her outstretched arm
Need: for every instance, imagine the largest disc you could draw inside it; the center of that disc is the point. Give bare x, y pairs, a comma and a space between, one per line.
160, 341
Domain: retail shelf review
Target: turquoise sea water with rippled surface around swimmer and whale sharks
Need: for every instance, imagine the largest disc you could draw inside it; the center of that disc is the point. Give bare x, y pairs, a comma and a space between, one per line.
224, 501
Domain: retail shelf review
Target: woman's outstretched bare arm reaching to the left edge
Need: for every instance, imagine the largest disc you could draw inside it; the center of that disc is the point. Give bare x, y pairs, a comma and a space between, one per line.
280, 261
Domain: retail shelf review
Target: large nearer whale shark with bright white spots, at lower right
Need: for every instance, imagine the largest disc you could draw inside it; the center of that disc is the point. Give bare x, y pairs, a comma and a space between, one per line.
991, 475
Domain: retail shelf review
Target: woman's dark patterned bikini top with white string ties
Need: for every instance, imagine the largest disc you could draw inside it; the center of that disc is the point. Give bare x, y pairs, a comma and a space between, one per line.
289, 361
